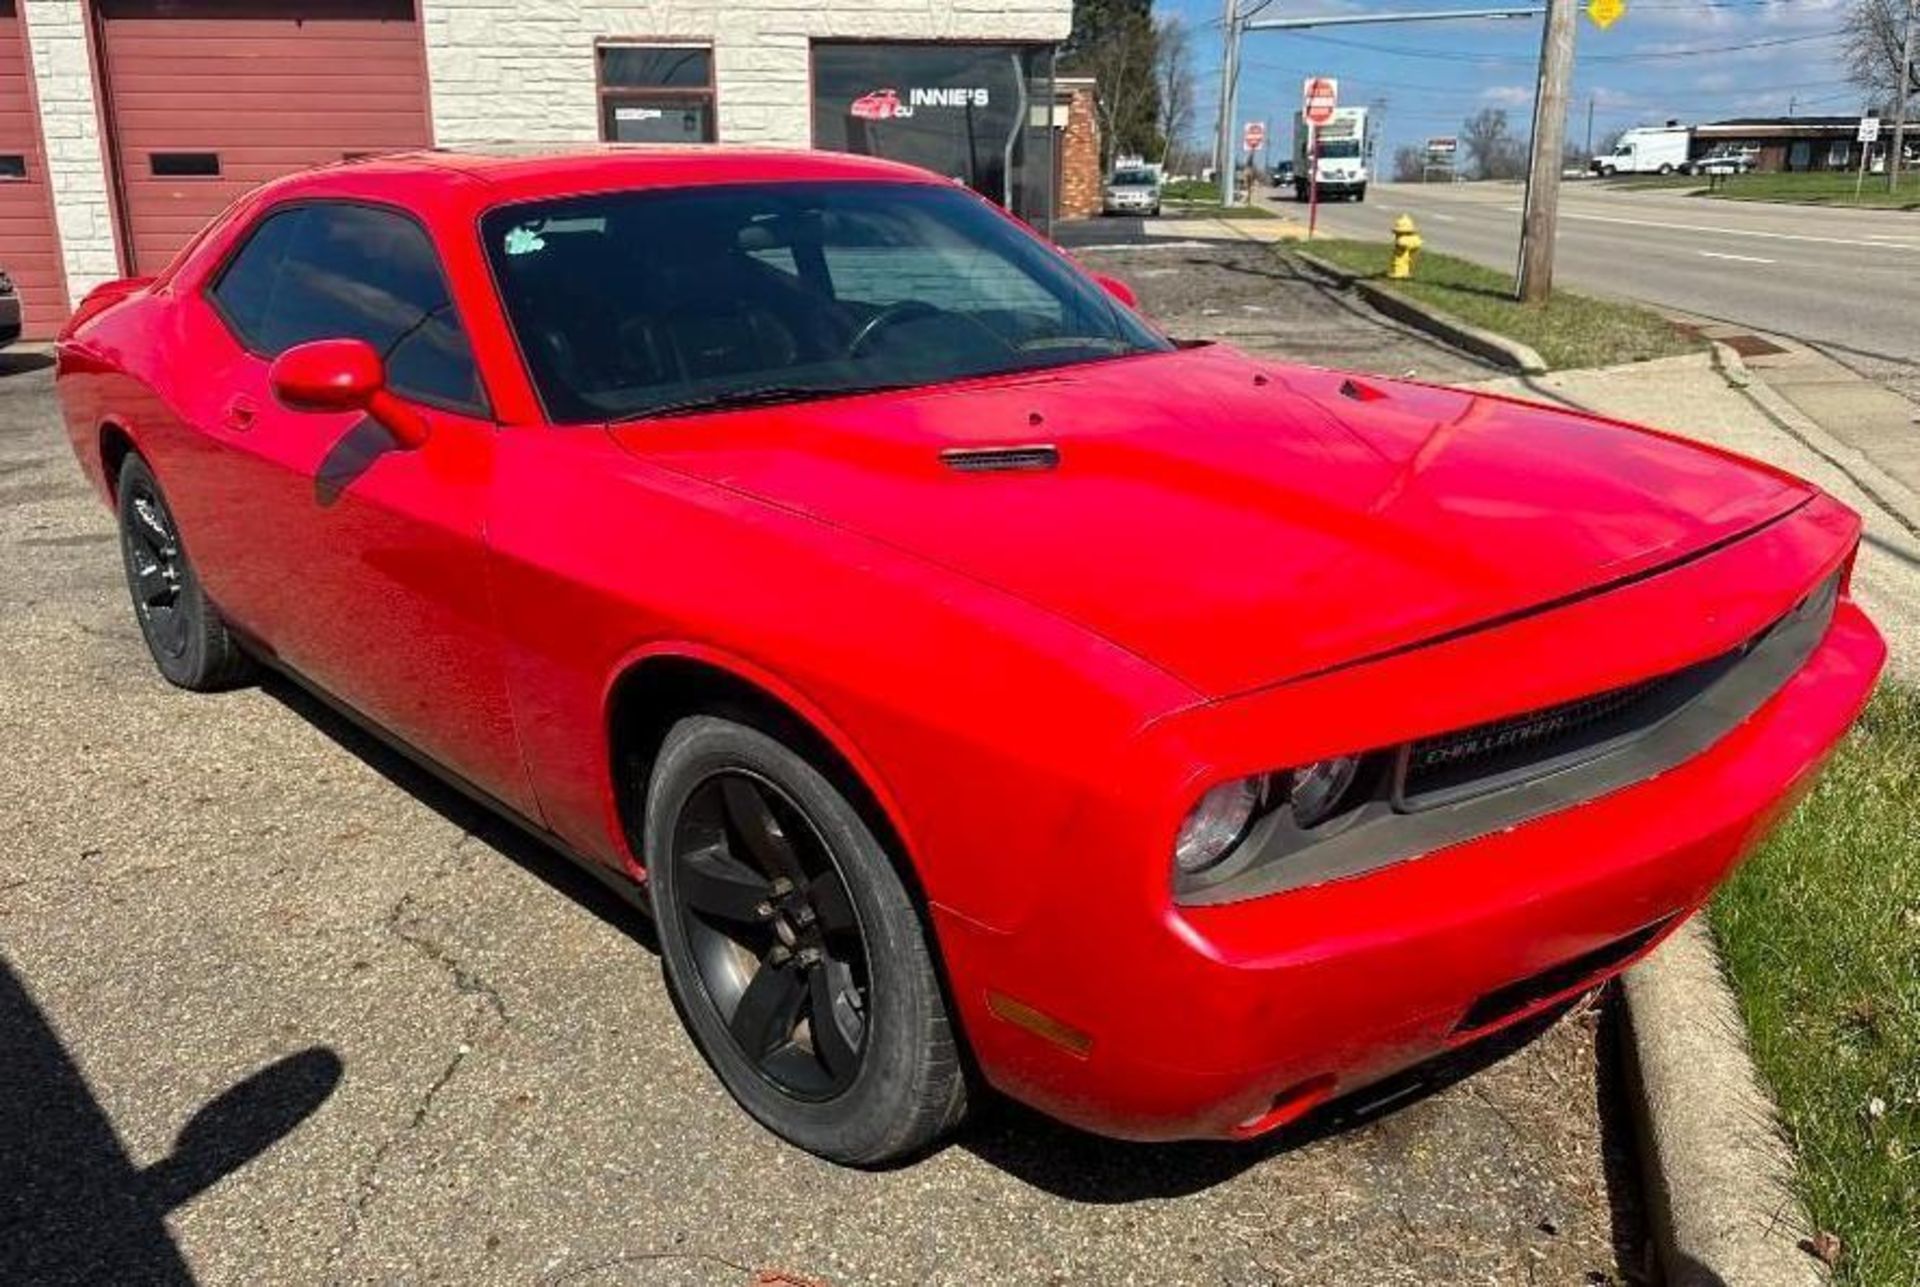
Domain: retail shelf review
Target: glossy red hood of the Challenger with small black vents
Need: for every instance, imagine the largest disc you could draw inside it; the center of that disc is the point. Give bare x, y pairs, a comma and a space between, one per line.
1237, 522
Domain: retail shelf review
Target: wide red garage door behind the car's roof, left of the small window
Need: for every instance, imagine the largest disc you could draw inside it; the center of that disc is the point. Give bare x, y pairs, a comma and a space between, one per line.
214, 97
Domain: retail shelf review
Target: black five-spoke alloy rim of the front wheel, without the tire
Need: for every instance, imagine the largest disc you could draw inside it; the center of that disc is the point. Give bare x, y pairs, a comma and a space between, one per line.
775, 935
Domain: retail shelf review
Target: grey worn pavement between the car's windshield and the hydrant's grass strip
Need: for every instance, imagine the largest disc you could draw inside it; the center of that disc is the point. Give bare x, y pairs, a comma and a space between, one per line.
1247, 295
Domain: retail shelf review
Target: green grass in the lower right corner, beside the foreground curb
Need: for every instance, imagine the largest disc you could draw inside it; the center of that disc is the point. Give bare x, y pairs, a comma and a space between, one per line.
1821, 933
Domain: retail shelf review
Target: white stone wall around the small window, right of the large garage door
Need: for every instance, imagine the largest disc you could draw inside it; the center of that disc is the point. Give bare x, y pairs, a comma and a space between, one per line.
523, 70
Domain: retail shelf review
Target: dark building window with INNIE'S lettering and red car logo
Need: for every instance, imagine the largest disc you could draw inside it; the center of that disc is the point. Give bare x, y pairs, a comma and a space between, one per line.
982, 114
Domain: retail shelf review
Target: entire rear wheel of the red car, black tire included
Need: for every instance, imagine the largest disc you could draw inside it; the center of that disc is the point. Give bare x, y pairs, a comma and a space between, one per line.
183, 631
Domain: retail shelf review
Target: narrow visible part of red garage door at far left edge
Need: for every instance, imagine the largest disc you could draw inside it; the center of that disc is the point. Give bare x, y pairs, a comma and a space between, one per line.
30, 251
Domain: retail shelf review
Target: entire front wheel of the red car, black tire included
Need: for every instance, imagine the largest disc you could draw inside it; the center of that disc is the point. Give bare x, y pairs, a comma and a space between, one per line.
727, 808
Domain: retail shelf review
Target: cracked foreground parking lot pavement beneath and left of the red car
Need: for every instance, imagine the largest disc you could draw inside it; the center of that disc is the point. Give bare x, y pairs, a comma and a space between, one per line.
279, 1009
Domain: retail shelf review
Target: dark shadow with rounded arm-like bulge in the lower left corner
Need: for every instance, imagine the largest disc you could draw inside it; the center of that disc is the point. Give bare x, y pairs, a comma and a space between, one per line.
74, 1205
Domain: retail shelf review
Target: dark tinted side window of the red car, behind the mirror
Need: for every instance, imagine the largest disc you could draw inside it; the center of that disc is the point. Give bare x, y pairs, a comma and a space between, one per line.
335, 272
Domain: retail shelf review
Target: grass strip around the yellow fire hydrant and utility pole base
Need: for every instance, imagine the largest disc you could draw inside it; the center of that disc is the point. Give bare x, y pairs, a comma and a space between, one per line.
1568, 331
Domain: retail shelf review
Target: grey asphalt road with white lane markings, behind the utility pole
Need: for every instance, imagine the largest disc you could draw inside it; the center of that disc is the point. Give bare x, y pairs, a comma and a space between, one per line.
1846, 281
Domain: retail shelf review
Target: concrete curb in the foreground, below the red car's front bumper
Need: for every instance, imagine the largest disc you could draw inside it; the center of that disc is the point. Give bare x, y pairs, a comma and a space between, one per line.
1717, 1169
